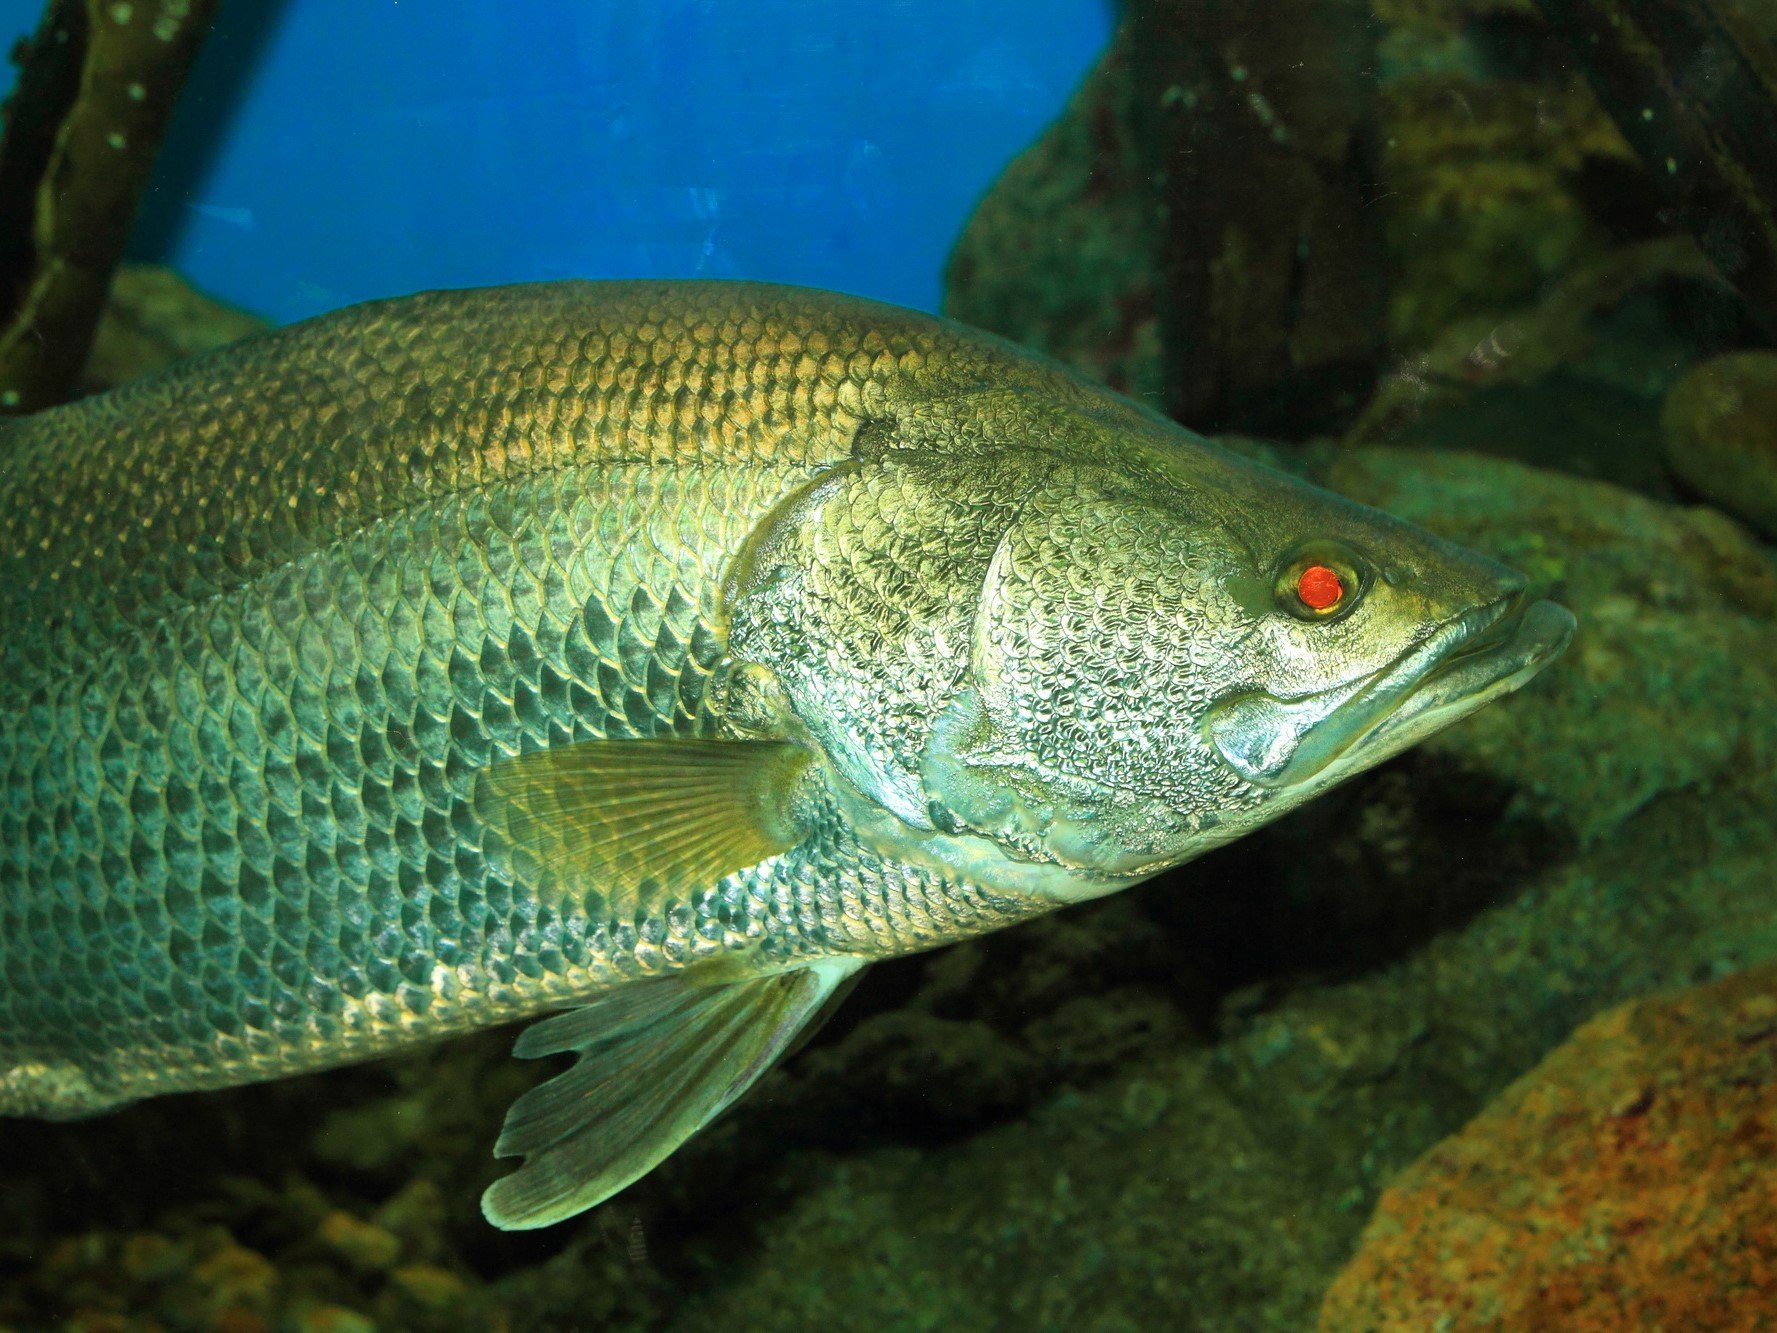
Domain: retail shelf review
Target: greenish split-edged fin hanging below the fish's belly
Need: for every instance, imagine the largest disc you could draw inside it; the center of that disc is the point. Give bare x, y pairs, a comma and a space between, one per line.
658, 1060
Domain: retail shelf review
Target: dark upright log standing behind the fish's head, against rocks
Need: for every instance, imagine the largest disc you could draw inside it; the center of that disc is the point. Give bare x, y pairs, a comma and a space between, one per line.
1261, 127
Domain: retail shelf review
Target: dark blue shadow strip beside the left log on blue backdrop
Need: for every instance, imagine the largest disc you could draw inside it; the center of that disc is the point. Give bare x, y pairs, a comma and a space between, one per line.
209, 106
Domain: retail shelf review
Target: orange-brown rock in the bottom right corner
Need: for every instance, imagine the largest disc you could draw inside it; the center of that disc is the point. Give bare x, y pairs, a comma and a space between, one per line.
1625, 1183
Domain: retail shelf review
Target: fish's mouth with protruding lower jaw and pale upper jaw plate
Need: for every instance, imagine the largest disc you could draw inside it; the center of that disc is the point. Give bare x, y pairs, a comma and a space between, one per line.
1460, 667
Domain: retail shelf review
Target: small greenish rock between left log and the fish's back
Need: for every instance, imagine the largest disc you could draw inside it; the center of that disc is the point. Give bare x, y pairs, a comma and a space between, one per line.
152, 319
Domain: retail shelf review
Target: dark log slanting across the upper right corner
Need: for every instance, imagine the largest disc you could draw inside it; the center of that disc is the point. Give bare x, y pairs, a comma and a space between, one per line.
1694, 90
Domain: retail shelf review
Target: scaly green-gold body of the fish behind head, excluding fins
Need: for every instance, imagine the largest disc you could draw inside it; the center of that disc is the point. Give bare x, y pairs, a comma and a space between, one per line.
271, 614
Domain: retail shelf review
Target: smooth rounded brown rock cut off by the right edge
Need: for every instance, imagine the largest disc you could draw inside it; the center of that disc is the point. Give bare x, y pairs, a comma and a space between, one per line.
1721, 435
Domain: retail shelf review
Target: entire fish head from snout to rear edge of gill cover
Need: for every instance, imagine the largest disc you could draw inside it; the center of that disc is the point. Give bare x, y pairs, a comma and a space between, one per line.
1062, 671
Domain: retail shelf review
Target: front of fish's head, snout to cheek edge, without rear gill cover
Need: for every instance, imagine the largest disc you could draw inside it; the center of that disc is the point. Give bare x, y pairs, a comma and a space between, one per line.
1177, 650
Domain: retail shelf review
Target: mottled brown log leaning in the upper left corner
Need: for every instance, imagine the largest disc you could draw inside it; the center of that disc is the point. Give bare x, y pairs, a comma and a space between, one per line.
97, 92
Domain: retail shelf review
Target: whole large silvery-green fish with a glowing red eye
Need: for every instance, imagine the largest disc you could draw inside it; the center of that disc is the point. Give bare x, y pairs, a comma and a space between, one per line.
651, 653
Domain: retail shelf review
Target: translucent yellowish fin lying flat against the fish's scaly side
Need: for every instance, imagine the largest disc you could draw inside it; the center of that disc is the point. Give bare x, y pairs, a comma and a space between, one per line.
641, 822
